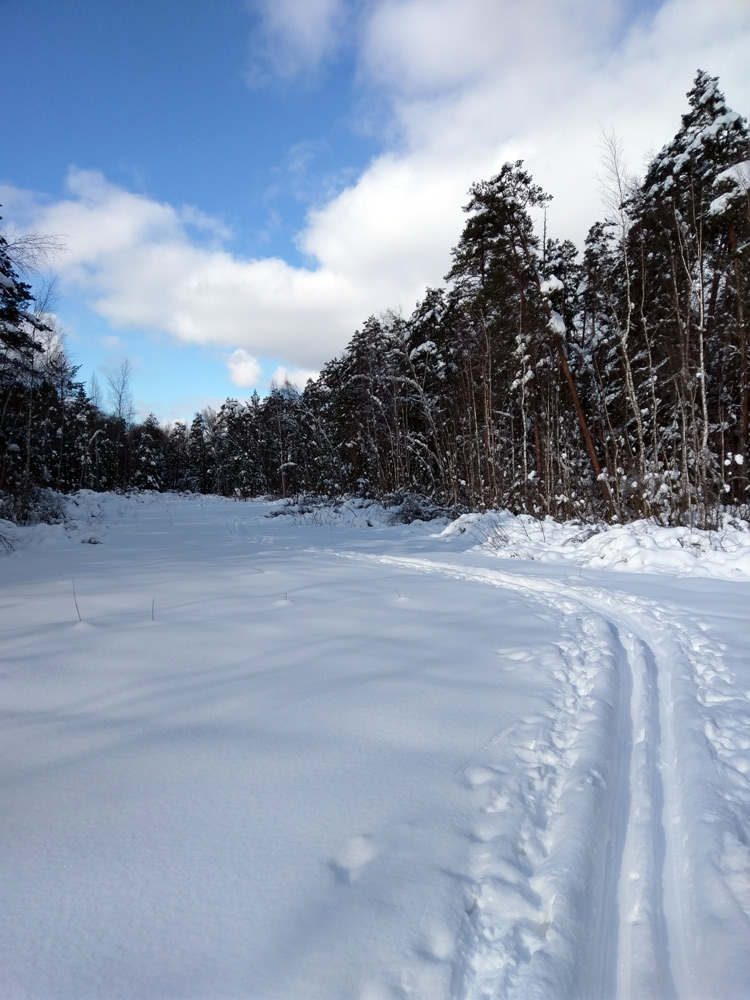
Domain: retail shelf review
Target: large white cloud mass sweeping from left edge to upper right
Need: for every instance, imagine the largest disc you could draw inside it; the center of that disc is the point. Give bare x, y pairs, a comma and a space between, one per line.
468, 86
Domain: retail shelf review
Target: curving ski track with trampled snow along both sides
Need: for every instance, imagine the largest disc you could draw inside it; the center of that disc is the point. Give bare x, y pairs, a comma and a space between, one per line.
606, 862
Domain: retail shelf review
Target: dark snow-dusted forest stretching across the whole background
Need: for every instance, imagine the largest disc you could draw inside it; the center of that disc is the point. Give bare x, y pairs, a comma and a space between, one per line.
608, 383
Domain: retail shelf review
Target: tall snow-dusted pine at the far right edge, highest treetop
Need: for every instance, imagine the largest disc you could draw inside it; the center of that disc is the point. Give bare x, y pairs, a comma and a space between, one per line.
693, 280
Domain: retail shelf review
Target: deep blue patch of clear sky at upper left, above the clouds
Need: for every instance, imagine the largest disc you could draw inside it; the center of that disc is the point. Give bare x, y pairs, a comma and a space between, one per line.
158, 96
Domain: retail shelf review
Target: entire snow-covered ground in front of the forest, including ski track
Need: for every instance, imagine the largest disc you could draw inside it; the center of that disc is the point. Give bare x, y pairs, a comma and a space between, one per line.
319, 757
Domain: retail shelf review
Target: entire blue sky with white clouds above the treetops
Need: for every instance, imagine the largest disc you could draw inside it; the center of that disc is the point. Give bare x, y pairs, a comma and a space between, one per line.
240, 184
